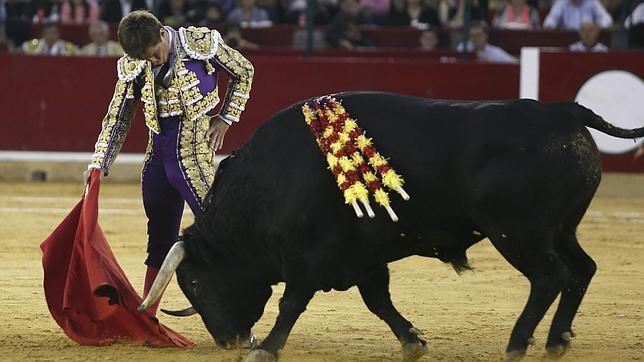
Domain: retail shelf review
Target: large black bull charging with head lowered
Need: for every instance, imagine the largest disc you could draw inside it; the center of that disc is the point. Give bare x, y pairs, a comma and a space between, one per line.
521, 173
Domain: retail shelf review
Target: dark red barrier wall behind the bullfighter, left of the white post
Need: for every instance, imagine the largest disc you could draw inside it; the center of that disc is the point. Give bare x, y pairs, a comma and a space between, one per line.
57, 103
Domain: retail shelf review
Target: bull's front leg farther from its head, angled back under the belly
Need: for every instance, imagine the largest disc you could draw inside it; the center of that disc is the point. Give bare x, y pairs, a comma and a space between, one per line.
375, 293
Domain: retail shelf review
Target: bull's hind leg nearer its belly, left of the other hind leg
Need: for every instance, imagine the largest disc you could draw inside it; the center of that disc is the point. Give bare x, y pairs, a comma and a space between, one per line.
534, 257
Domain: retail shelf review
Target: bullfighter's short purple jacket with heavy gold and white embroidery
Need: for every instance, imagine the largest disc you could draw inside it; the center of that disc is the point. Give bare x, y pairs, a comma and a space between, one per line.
182, 97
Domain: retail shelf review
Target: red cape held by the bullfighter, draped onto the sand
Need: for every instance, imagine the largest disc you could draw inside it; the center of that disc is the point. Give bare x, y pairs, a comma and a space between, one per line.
87, 292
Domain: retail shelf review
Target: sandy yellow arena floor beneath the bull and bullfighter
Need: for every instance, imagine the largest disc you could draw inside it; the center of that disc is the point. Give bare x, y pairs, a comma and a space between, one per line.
466, 318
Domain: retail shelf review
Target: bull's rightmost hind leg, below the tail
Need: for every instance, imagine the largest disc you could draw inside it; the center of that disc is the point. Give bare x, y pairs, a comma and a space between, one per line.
582, 268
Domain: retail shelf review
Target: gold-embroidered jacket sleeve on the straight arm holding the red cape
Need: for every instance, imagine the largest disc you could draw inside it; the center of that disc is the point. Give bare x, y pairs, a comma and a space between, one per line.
115, 125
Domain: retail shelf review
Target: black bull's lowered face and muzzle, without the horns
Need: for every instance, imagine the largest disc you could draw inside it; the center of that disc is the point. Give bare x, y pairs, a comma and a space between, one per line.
228, 306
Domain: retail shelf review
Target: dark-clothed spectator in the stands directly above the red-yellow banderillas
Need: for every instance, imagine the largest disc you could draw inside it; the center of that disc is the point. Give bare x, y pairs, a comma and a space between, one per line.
343, 32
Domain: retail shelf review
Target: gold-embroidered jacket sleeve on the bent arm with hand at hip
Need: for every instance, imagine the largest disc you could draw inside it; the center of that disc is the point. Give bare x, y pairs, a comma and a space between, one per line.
240, 71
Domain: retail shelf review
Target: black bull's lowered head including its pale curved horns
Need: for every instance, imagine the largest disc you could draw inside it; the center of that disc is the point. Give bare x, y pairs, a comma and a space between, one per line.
229, 304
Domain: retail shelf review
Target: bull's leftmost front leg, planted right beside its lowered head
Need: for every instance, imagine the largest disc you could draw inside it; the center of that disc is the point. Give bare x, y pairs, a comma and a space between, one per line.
292, 304
